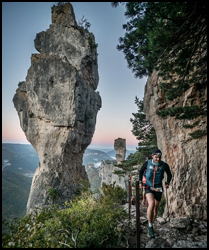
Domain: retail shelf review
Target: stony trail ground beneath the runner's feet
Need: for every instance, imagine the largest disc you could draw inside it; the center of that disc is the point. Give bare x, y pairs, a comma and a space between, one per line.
174, 233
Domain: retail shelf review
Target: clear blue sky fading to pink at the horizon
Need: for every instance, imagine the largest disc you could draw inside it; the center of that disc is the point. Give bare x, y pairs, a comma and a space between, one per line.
118, 87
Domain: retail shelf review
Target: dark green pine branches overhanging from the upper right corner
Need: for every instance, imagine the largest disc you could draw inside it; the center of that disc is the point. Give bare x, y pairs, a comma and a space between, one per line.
171, 38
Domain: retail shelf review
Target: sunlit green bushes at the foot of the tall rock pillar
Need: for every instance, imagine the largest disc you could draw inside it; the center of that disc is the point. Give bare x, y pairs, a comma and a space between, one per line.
83, 223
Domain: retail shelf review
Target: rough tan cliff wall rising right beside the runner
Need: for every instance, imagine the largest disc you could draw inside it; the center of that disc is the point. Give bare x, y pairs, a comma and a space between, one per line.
186, 157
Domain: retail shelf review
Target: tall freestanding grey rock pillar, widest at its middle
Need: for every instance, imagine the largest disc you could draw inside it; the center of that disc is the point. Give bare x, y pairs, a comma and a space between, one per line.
57, 106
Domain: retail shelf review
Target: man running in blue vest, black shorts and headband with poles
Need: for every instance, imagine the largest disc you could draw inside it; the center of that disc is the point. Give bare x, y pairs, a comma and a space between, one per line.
154, 175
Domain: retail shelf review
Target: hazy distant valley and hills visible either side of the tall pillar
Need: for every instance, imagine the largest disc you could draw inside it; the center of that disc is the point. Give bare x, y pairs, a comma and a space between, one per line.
19, 163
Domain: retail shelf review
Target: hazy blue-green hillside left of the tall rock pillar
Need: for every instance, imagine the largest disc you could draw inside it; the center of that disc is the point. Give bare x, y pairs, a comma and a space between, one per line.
19, 162
